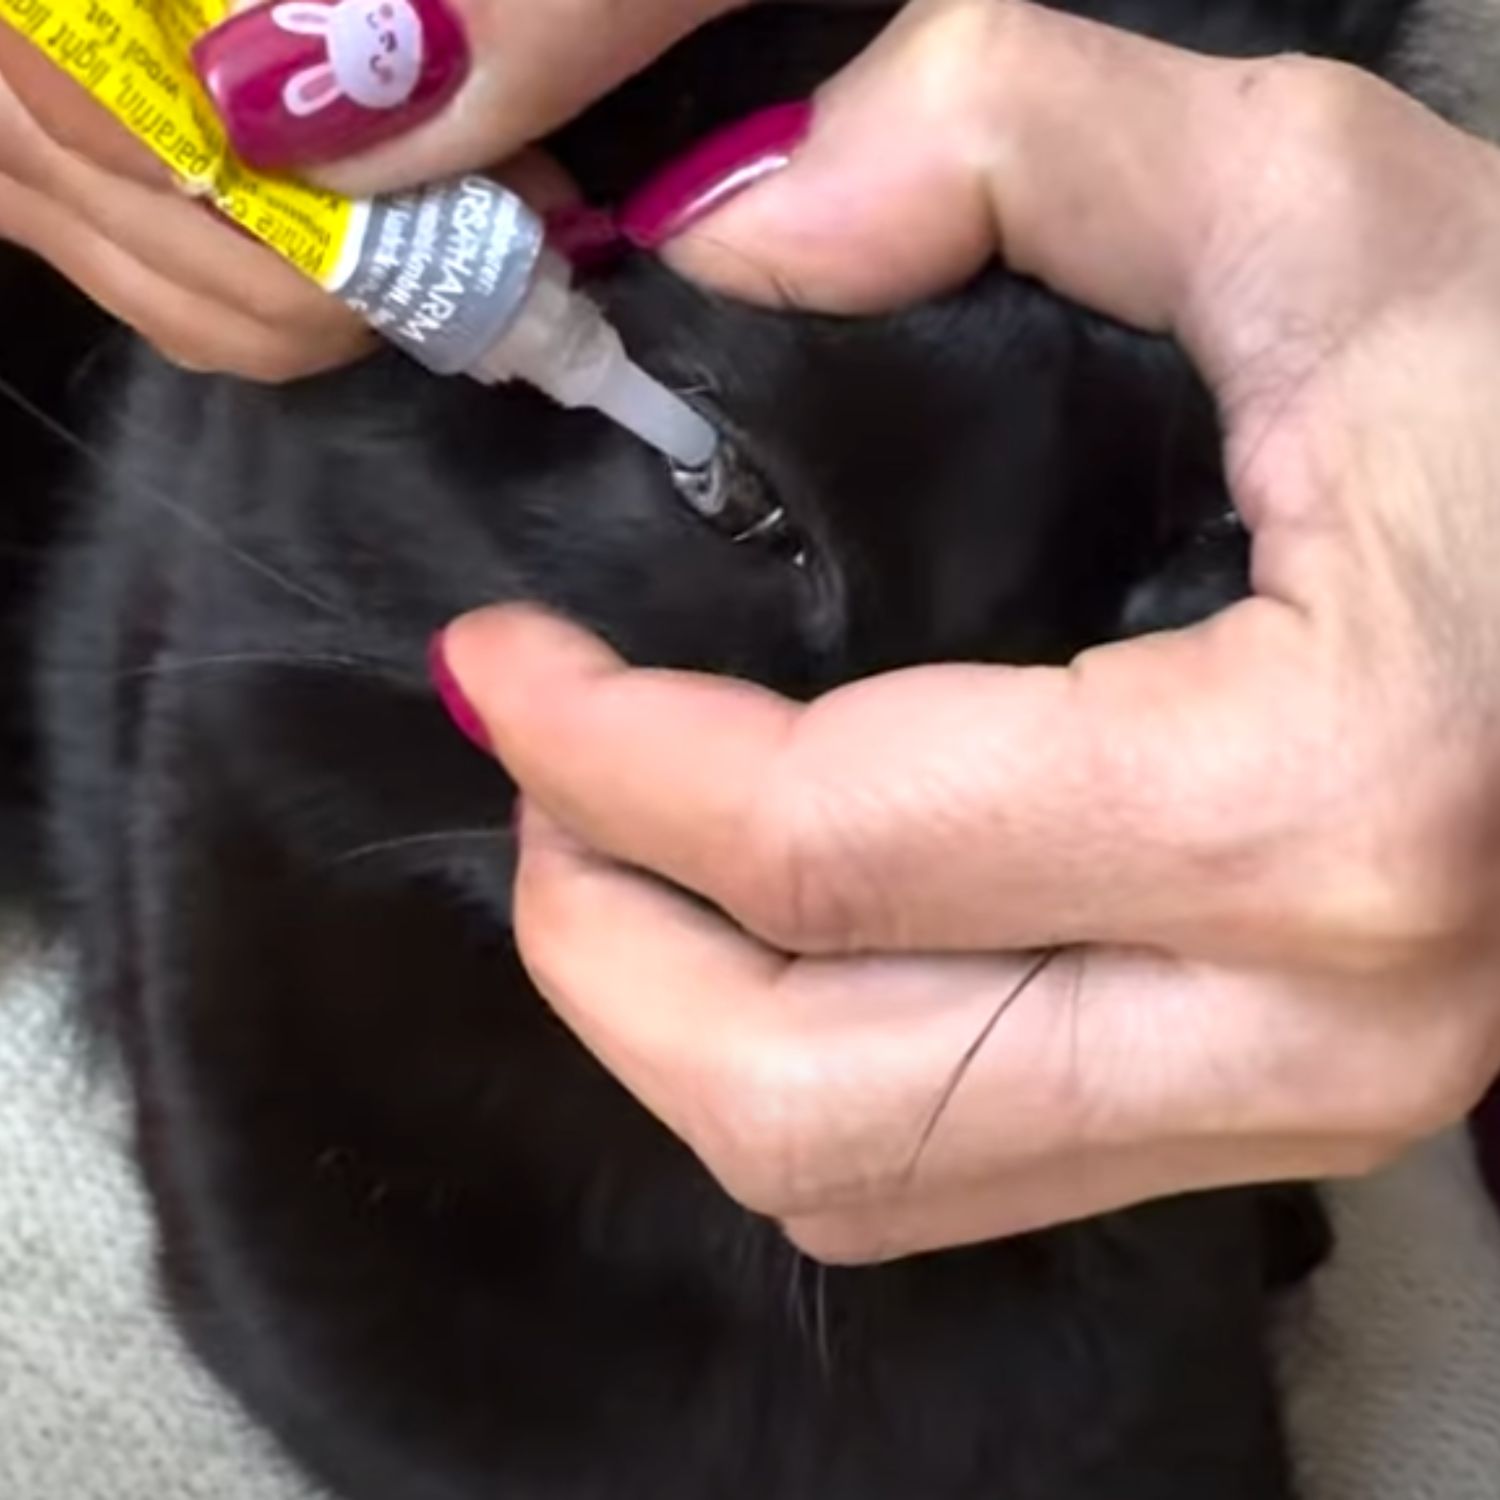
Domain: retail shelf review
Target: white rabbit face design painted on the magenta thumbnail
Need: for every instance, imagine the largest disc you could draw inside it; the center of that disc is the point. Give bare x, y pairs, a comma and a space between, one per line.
374, 53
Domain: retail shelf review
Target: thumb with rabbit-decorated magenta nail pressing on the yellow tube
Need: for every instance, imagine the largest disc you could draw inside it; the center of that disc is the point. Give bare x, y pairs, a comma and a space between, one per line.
458, 85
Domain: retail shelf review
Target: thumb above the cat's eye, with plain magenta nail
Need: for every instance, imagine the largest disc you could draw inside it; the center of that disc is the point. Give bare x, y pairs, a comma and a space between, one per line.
964, 131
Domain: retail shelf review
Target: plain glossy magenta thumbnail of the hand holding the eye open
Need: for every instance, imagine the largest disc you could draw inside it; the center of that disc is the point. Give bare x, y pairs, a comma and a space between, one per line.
713, 173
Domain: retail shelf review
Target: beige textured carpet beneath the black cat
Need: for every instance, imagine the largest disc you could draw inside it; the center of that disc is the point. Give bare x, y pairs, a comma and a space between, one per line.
1393, 1355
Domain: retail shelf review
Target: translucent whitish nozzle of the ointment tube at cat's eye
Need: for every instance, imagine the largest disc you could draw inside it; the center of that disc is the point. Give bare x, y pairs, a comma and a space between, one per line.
562, 344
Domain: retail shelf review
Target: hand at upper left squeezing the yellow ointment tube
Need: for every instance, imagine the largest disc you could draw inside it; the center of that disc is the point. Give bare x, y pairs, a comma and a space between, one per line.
494, 76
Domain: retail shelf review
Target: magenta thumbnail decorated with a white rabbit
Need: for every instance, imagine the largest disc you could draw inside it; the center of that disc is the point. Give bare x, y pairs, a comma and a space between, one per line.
307, 82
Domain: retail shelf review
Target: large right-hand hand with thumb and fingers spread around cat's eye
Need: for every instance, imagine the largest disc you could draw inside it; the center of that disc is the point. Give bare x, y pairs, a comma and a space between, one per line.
1267, 845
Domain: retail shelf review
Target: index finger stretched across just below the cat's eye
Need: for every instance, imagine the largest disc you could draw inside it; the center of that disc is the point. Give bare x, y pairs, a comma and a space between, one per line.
923, 809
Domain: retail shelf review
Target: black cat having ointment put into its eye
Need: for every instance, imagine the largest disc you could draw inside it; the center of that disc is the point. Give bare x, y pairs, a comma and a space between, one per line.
418, 1232
